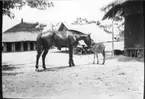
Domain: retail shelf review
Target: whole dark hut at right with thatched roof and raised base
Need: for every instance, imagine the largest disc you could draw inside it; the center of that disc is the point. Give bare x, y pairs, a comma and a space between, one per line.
132, 11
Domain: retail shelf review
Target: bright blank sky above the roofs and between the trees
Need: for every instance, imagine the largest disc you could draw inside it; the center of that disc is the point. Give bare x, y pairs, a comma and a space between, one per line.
63, 11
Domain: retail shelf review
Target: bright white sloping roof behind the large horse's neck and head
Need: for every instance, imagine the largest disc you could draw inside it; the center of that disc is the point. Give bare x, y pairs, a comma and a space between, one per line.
97, 34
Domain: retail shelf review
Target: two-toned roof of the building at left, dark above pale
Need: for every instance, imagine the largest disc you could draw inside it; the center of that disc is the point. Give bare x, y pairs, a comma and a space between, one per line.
21, 32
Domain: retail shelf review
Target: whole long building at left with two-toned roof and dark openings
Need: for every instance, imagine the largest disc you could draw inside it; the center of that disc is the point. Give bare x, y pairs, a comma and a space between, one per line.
21, 37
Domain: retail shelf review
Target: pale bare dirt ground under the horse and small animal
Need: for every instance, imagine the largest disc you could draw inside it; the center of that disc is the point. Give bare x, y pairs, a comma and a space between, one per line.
120, 78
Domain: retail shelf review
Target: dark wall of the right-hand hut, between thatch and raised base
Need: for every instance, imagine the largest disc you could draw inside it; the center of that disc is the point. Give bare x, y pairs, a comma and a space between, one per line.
134, 31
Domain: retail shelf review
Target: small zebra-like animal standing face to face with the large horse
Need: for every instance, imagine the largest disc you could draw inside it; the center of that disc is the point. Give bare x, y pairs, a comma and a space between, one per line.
98, 48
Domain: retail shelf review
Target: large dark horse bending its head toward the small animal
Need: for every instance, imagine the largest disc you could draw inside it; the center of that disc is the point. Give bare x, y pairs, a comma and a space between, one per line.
59, 39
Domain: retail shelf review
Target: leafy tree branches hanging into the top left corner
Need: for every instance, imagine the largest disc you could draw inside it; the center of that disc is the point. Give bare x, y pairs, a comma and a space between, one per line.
18, 4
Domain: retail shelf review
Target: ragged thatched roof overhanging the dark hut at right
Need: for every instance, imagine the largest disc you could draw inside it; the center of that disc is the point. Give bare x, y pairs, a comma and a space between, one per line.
117, 7
